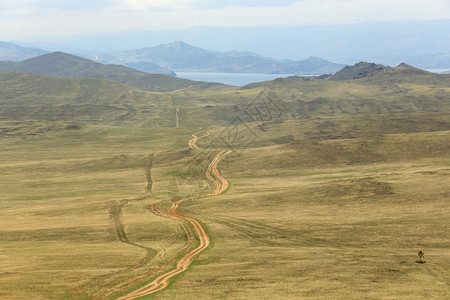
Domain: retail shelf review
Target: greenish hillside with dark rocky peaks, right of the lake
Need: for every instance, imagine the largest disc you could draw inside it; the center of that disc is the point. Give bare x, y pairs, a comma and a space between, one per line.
395, 90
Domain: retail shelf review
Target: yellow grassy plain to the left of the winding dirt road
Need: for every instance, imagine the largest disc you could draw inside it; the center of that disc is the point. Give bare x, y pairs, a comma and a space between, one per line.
58, 192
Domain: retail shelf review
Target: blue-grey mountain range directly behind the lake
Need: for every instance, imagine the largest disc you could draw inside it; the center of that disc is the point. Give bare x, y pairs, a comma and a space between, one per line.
185, 58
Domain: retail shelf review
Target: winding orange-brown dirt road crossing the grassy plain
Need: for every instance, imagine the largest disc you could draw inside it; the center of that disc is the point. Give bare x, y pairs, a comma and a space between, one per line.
162, 281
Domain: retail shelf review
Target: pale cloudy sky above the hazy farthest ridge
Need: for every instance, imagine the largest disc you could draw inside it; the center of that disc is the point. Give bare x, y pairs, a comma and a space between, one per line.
40, 19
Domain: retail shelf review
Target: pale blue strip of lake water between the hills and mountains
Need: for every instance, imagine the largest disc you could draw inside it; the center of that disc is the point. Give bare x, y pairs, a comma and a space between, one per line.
230, 78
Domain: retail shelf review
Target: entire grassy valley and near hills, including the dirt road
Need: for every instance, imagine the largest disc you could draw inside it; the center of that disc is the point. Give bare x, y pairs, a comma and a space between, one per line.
118, 184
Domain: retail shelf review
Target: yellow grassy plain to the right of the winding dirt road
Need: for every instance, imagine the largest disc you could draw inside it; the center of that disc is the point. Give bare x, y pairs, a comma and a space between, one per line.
333, 219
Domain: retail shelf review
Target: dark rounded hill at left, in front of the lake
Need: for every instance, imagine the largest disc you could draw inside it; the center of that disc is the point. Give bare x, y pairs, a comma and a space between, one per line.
60, 64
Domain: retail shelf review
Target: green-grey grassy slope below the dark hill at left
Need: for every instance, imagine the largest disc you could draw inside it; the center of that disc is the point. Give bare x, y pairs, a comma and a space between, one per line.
94, 101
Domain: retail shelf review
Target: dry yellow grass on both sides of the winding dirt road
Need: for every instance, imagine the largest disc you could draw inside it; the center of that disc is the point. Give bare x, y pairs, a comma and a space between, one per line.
313, 218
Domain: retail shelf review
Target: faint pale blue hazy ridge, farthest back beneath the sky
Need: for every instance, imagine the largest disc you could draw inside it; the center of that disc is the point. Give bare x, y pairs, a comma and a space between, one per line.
424, 44
